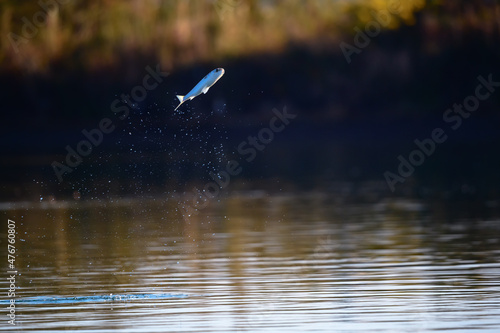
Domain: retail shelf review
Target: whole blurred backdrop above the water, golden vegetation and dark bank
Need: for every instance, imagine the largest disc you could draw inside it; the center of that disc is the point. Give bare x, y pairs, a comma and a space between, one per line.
353, 120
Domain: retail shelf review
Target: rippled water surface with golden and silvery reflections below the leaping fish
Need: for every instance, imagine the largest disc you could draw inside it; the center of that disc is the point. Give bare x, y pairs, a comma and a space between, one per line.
250, 263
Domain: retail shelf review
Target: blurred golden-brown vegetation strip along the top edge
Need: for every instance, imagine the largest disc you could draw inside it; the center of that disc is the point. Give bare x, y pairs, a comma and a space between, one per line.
102, 33
